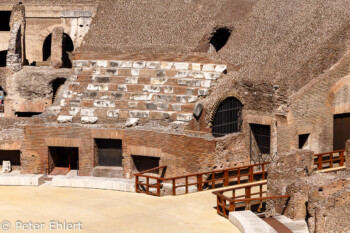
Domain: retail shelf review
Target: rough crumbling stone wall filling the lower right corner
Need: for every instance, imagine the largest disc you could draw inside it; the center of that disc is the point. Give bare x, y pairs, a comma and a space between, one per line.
322, 199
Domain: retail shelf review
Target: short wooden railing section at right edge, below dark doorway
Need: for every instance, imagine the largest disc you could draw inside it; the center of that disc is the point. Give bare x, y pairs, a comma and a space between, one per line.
329, 159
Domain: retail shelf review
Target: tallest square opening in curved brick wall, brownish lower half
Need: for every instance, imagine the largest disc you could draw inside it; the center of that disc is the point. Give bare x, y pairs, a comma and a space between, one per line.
109, 152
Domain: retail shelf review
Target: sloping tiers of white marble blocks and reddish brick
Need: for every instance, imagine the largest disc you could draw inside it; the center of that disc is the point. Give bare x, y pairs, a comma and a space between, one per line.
112, 91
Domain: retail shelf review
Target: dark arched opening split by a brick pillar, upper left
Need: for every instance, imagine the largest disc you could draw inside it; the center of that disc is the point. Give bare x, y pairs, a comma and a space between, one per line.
67, 49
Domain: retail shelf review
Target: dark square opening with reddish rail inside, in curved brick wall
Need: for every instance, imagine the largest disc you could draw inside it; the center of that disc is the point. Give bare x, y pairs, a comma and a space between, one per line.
62, 160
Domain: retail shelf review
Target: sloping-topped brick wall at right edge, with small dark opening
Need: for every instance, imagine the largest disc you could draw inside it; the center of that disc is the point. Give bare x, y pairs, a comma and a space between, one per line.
312, 110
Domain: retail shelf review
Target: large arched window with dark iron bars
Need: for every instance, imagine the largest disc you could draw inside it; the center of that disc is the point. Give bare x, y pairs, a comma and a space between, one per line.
228, 117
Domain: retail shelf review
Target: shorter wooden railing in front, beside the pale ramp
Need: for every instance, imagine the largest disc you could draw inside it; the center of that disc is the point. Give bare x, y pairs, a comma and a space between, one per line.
254, 195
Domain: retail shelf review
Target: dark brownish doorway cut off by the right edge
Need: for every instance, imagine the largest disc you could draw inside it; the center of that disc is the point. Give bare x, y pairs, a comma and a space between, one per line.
341, 130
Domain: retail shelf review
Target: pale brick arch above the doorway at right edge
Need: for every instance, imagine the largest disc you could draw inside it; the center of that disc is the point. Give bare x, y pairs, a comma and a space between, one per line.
333, 92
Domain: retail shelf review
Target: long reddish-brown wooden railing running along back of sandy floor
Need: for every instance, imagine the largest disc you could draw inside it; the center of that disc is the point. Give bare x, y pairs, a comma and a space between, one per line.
211, 179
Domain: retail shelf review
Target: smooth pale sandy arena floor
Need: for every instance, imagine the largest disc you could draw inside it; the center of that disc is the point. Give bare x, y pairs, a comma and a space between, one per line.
109, 211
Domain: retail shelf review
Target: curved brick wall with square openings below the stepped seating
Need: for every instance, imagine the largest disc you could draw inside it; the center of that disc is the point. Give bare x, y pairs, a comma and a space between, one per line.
181, 153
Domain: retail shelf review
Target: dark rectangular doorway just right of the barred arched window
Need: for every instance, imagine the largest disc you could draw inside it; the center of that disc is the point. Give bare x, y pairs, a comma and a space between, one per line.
262, 136
